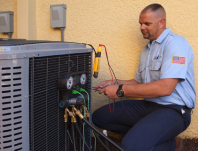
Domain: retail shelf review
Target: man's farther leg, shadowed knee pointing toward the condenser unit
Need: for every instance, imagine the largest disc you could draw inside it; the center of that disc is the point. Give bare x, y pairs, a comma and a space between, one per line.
123, 118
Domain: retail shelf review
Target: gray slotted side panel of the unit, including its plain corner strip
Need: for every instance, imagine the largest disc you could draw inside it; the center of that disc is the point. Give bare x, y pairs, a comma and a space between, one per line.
14, 104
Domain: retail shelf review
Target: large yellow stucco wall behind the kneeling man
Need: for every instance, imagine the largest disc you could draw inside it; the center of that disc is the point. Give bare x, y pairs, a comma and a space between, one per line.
116, 24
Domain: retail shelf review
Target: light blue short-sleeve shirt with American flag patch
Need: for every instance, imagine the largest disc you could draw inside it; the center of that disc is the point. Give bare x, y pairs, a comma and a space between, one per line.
170, 56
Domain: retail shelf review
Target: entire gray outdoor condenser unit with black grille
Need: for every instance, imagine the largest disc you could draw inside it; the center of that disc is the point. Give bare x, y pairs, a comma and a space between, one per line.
30, 117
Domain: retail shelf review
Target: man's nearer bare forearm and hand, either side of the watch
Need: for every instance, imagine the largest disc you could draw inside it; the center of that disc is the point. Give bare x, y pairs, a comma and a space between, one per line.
163, 87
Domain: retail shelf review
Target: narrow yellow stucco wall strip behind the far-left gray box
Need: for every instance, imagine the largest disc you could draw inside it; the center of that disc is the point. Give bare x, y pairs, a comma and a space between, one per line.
9, 5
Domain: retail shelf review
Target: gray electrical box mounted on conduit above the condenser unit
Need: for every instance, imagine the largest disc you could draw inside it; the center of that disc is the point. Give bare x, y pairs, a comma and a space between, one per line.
58, 15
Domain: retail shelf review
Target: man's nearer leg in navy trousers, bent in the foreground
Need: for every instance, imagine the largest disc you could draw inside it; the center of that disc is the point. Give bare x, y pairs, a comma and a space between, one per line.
156, 131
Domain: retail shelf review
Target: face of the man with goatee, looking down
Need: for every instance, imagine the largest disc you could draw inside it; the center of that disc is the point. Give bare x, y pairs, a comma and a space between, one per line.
149, 25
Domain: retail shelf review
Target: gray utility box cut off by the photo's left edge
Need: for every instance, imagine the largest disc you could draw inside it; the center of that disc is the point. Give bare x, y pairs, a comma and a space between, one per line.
6, 21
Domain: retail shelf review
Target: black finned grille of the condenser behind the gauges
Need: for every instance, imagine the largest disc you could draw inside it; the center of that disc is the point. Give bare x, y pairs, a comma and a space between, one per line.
46, 118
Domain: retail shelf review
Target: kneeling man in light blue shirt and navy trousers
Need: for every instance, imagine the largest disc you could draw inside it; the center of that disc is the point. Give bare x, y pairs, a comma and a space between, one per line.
165, 78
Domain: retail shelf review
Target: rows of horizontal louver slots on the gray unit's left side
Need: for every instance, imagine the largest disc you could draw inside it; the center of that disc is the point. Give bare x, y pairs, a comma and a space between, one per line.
12, 104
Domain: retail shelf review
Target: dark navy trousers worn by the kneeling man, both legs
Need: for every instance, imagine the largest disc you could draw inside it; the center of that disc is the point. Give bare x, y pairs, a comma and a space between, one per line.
146, 126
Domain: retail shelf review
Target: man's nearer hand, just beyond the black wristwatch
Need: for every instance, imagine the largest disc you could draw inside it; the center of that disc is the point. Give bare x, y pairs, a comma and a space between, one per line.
110, 91
